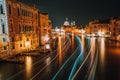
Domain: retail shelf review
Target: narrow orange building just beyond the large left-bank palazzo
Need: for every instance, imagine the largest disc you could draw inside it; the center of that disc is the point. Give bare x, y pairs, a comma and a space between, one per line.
45, 28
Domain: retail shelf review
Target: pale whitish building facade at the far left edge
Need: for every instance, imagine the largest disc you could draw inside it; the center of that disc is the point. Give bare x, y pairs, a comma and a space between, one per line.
4, 32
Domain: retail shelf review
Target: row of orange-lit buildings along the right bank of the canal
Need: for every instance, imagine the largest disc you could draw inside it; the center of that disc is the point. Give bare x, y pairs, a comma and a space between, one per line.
109, 27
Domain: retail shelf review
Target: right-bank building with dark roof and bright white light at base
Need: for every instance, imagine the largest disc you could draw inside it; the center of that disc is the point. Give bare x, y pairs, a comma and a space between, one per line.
99, 27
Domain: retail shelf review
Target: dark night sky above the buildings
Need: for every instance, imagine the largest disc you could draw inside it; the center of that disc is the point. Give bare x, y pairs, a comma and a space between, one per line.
81, 11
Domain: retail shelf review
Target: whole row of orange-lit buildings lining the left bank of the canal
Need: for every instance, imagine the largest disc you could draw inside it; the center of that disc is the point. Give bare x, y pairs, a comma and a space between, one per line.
22, 27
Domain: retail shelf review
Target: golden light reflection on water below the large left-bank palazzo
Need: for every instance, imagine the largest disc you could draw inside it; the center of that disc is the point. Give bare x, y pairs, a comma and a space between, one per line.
28, 63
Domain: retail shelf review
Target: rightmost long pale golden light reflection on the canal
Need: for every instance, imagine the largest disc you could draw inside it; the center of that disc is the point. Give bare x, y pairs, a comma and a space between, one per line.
102, 51
